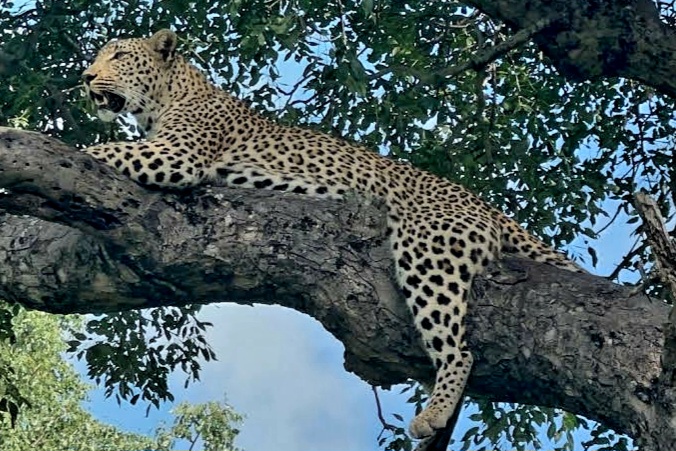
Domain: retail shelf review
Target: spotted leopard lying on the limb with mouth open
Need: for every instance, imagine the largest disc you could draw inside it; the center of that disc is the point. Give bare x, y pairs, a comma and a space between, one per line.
441, 234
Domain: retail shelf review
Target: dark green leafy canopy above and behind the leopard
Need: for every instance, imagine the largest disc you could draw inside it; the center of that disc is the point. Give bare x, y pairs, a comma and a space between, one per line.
552, 151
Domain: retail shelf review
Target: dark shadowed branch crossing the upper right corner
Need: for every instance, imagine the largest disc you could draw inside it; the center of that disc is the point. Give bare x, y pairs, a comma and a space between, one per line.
592, 39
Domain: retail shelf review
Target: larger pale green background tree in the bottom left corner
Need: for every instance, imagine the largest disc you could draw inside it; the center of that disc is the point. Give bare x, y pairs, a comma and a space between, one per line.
52, 416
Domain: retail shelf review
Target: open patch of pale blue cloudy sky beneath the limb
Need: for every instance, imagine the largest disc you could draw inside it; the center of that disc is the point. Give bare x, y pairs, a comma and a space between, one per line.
281, 369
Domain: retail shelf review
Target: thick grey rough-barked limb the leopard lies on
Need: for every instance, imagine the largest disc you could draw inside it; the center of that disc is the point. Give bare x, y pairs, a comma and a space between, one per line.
76, 237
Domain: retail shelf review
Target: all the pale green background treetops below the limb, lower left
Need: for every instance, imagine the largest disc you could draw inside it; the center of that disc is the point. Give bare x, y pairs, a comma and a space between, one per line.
52, 416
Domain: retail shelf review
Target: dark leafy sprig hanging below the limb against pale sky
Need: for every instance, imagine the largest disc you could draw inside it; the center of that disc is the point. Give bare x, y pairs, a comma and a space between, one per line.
134, 353
